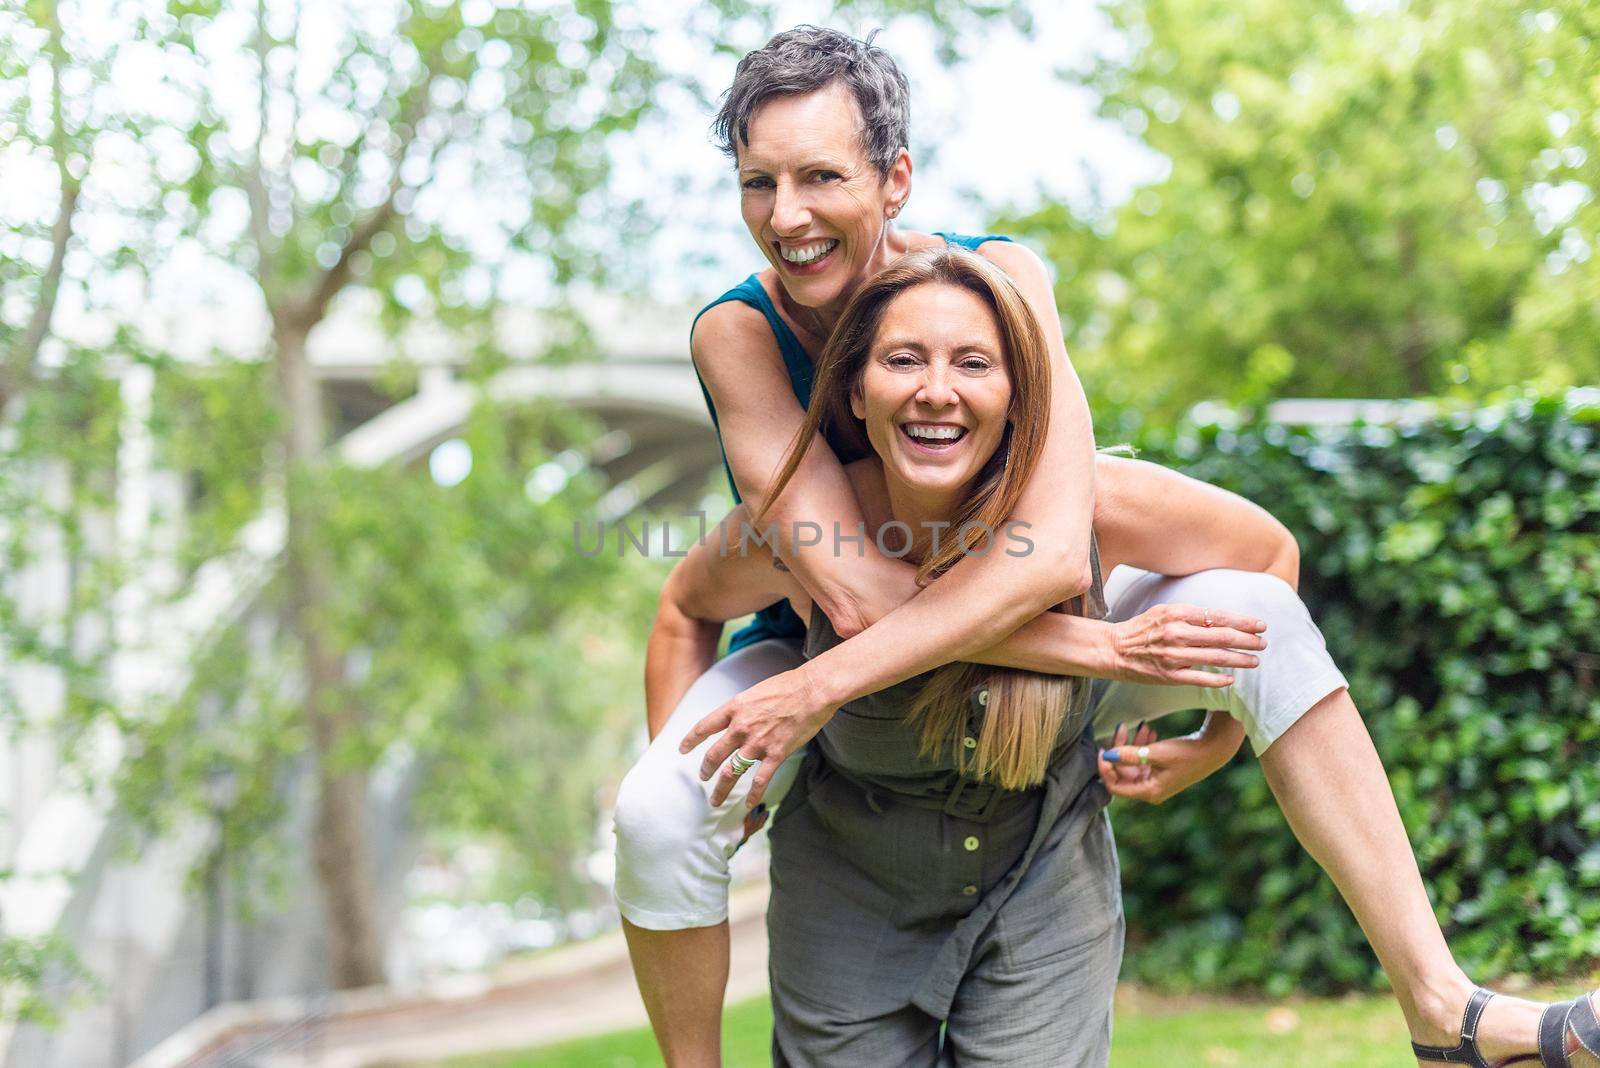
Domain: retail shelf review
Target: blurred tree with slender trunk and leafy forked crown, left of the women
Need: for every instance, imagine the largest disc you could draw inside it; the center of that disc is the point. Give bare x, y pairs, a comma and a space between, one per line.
394, 149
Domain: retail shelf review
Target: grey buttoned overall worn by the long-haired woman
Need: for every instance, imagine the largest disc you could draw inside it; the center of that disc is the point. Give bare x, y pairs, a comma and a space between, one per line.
906, 898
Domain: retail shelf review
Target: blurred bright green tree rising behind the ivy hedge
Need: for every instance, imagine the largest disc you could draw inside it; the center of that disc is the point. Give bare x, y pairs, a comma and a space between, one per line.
1361, 201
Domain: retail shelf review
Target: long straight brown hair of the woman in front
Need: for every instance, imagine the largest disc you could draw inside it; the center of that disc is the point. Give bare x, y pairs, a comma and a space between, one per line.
1025, 711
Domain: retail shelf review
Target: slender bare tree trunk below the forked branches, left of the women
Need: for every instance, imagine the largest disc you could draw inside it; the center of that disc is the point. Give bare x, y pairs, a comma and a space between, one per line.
342, 850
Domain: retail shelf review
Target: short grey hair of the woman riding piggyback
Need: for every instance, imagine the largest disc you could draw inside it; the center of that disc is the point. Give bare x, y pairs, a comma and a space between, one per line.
810, 58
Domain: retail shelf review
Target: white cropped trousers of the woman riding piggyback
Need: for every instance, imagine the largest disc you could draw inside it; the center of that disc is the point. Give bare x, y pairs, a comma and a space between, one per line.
673, 848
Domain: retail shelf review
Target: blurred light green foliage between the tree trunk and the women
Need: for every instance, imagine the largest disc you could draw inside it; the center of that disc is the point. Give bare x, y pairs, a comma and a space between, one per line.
487, 645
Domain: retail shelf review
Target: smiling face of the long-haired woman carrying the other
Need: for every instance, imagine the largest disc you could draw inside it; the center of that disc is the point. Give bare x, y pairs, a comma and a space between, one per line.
935, 394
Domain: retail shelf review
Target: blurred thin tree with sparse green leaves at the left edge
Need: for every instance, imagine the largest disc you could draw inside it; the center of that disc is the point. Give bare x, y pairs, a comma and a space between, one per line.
60, 415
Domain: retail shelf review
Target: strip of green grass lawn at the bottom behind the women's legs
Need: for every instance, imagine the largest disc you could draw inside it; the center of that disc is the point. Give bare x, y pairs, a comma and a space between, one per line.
1356, 1032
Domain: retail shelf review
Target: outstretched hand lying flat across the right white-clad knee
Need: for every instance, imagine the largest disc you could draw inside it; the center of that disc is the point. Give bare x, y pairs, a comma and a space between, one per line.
1170, 645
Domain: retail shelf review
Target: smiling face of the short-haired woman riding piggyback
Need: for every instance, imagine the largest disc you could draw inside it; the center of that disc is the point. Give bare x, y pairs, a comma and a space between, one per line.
814, 202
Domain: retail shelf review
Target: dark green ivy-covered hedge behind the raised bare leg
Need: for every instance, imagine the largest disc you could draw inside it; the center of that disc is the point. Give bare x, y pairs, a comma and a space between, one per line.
1455, 570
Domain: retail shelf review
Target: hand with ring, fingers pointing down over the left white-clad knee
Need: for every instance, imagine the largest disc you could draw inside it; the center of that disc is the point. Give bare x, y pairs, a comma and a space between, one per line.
766, 723
